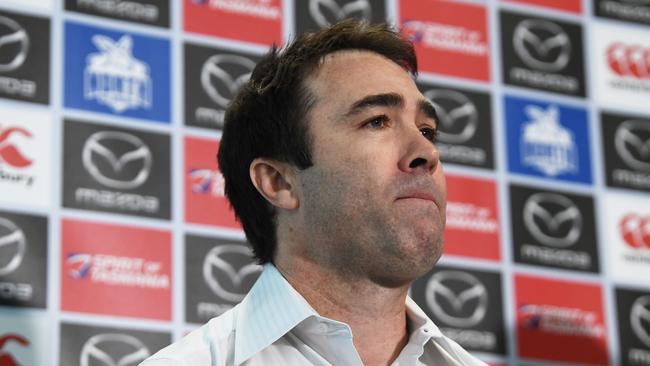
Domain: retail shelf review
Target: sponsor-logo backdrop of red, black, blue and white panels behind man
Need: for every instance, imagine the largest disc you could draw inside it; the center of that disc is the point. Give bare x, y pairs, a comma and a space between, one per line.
116, 238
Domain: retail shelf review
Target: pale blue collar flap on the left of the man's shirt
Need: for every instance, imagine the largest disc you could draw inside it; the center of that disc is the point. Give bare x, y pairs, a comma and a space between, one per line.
270, 310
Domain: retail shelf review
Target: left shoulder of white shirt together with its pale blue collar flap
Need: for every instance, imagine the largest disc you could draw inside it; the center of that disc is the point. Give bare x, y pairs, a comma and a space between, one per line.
270, 309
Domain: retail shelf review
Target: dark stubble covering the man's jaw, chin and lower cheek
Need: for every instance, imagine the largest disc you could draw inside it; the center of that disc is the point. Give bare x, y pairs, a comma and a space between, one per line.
351, 235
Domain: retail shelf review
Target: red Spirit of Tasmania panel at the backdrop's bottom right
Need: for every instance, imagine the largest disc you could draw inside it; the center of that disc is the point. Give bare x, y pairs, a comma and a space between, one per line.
567, 317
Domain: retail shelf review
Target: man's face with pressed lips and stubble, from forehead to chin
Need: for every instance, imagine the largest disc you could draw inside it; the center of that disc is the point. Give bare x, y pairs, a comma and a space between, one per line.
373, 202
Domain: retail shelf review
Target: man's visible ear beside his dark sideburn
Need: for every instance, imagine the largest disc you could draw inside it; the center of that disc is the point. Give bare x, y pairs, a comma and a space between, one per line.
276, 182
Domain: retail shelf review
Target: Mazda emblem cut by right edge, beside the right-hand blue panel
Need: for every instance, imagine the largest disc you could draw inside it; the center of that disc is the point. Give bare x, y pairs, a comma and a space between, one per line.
632, 142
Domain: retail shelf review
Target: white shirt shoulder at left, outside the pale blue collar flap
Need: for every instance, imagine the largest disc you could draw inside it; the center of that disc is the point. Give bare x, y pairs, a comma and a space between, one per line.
208, 344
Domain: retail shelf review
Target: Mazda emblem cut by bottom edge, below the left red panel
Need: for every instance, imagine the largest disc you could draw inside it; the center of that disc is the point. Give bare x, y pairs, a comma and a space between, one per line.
113, 349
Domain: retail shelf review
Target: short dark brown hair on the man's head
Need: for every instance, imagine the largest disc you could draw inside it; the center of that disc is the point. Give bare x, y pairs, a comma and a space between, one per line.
267, 117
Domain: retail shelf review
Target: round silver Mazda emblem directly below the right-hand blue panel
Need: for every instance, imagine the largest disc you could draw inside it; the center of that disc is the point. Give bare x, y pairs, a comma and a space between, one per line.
553, 219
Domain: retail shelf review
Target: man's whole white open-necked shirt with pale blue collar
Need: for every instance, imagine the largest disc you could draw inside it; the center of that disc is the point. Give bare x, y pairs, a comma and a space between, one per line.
274, 325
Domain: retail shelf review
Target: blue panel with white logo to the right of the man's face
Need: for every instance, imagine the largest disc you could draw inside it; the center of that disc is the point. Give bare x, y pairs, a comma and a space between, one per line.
548, 140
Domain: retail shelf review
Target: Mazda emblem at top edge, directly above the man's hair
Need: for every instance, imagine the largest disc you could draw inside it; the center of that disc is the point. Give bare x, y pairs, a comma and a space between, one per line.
328, 12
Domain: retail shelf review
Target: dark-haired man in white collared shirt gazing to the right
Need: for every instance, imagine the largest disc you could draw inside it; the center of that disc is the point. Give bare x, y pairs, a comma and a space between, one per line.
329, 158
